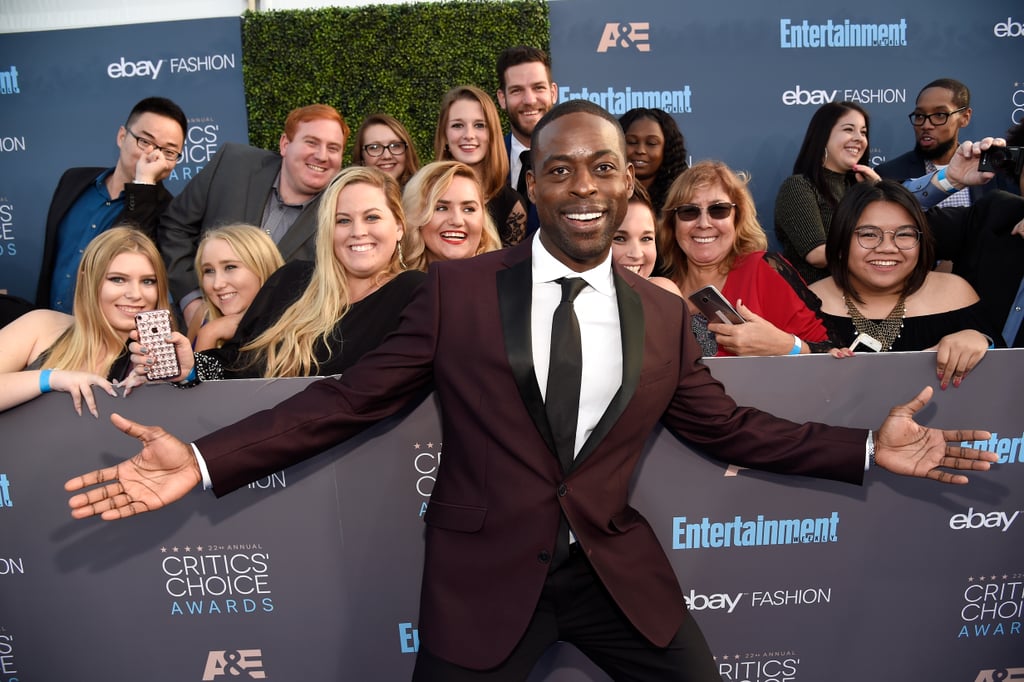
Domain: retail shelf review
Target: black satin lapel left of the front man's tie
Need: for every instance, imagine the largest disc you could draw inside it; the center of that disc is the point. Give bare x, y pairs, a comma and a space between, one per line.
516, 290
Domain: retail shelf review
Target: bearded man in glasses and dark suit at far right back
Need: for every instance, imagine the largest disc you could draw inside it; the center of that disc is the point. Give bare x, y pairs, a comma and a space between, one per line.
943, 109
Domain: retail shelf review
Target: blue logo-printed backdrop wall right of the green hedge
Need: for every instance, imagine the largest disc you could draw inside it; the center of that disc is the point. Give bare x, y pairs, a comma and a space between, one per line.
743, 78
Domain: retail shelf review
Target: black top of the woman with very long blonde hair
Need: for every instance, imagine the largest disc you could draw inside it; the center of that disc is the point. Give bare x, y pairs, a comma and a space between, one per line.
361, 330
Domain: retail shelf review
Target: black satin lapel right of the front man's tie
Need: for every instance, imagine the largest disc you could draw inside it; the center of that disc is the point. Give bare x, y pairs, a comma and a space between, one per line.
631, 321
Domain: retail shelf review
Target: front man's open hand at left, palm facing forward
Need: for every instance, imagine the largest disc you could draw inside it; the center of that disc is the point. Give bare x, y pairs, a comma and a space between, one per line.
164, 472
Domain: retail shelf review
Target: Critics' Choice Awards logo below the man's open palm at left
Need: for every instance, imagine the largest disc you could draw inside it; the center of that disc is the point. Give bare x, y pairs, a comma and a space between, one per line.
217, 581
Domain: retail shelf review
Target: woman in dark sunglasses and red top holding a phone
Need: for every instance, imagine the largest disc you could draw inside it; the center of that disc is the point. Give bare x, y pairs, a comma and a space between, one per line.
710, 235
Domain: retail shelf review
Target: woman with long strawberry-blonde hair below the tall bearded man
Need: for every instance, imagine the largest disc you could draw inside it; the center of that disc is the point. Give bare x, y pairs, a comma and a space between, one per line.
471, 132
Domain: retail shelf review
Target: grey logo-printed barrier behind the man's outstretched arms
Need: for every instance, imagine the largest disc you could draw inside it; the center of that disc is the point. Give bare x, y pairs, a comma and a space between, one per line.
314, 574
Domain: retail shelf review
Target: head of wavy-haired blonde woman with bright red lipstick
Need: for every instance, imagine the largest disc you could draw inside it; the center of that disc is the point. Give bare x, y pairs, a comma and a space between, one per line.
447, 215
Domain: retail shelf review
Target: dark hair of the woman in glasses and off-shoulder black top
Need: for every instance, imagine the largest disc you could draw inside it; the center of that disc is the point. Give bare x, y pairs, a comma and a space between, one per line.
848, 214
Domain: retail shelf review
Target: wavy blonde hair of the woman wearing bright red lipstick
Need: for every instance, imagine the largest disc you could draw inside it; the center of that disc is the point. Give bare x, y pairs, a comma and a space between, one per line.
421, 196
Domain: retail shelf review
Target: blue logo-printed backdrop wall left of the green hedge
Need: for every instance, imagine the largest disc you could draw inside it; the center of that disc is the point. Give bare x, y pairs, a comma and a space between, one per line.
65, 94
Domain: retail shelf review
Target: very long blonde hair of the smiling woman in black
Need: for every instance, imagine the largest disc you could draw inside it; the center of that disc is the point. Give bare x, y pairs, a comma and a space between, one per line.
287, 348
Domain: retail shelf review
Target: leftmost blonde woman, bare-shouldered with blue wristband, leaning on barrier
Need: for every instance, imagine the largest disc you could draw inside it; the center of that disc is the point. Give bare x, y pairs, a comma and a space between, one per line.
121, 275
